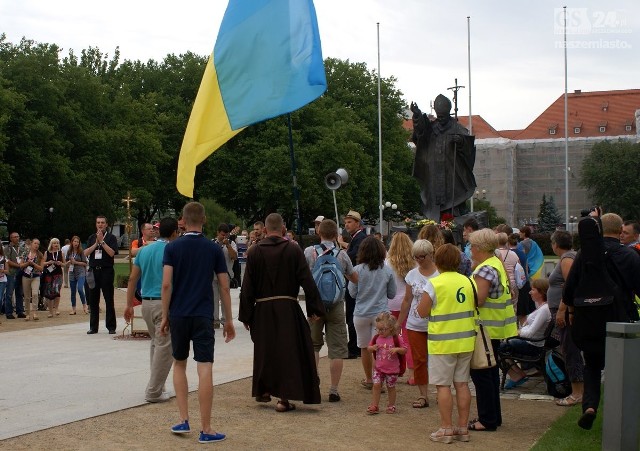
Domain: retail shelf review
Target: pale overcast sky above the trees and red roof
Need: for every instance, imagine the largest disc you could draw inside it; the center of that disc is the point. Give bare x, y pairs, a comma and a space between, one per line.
517, 60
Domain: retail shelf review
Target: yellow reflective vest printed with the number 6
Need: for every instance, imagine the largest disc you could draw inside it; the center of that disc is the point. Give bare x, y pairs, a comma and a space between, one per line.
452, 326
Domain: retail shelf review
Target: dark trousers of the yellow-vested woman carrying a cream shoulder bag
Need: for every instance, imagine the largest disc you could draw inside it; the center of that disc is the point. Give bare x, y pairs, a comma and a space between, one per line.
487, 383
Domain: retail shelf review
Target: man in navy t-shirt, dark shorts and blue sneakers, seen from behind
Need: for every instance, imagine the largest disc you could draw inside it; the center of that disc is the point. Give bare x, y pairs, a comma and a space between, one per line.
187, 311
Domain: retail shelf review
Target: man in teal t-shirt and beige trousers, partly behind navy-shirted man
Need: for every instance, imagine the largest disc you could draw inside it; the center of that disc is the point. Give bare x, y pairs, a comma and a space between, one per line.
148, 265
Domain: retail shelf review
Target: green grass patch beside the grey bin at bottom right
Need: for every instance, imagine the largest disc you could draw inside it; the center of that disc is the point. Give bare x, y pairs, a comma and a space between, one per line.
565, 434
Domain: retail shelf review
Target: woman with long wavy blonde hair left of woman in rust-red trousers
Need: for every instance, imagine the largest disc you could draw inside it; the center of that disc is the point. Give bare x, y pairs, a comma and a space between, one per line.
400, 260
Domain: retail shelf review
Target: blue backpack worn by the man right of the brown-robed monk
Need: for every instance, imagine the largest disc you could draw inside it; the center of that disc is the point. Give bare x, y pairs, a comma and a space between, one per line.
328, 276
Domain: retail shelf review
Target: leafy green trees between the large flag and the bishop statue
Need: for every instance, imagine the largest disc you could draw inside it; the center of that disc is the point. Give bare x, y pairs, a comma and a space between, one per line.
252, 173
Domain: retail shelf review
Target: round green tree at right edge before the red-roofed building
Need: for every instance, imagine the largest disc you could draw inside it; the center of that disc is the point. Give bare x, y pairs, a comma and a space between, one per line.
612, 175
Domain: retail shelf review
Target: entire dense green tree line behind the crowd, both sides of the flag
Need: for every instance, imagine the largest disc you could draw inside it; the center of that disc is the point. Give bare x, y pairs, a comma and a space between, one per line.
78, 132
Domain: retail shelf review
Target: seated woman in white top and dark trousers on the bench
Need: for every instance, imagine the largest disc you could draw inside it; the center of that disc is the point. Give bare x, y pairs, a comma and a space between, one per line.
533, 329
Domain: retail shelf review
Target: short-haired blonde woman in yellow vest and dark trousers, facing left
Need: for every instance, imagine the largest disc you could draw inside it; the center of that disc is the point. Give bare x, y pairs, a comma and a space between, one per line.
499, 320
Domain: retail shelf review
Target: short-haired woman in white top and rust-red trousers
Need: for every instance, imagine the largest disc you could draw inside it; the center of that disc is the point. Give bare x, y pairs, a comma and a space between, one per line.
416, 279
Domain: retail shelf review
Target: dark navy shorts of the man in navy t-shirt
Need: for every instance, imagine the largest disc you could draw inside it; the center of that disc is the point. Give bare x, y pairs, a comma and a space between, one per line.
196, 329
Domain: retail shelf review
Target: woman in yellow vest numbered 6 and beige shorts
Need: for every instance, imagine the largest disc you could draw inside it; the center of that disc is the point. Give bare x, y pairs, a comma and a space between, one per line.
448, 300
